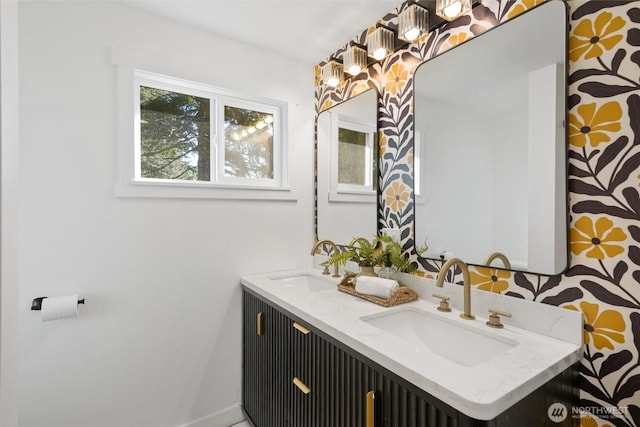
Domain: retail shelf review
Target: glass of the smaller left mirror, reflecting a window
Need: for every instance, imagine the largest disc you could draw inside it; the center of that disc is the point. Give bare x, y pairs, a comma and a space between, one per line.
346, 190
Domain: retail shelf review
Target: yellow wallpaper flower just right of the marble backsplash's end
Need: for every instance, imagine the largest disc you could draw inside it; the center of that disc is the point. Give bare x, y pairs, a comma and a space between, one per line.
601, 327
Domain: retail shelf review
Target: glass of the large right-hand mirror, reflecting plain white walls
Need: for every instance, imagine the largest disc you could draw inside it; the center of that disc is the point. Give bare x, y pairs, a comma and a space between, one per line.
489, 117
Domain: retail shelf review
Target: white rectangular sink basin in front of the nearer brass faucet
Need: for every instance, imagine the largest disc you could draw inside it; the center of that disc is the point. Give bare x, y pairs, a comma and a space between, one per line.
448, 338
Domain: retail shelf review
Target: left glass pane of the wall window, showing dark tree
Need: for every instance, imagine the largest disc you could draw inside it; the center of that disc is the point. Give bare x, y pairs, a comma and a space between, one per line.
174, 133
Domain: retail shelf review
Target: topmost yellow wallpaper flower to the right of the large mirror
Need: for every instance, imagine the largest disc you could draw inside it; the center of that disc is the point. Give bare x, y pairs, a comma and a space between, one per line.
591, 38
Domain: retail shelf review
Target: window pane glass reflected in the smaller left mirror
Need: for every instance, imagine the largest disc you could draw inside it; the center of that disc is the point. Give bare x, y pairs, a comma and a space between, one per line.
352, 157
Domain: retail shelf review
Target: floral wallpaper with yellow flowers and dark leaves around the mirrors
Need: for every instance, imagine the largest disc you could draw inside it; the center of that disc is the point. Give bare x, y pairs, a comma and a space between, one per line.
603, 278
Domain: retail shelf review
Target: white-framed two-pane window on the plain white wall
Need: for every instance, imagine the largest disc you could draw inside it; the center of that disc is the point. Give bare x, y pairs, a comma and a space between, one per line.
189, 134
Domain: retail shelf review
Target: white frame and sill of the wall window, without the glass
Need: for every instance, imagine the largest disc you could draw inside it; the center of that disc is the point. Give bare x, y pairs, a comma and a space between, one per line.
132, 184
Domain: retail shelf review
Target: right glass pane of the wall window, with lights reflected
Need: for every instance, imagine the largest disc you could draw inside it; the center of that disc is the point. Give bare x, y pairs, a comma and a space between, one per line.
248, 143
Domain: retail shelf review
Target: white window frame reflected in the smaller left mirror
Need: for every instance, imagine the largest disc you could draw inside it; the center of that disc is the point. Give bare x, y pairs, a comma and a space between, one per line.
351, 192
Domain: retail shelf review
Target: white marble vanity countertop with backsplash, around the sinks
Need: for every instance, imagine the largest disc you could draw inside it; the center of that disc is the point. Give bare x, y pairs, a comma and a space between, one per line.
549, 339
